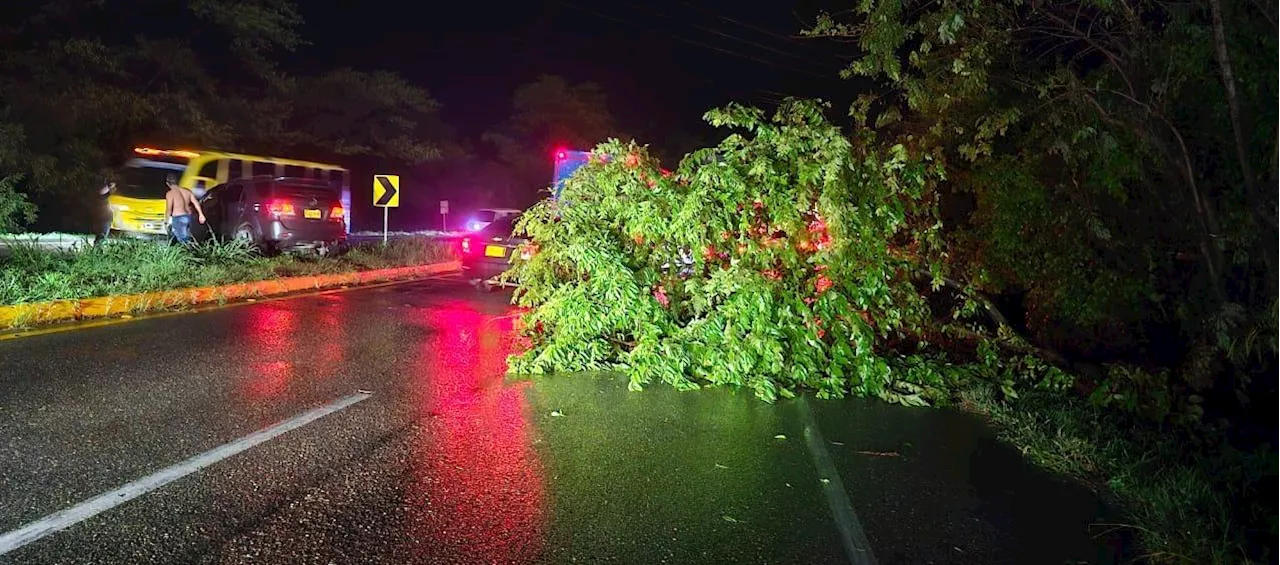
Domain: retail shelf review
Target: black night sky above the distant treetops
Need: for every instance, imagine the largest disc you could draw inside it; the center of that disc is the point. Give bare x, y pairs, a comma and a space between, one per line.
662, 63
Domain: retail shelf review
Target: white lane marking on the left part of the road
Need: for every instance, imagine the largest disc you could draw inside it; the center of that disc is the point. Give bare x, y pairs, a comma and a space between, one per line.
103, 503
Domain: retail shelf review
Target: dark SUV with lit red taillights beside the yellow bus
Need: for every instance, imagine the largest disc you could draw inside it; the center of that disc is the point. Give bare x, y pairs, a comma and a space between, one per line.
277, 213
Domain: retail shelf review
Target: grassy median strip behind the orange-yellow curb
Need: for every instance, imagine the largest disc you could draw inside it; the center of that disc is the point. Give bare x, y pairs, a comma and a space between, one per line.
124, 267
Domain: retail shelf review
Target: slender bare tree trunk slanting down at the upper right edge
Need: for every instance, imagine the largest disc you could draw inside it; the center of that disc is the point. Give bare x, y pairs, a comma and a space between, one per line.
1258, 204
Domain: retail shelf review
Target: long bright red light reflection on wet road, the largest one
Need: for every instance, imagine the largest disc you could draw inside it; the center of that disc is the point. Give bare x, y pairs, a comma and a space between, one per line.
481, 491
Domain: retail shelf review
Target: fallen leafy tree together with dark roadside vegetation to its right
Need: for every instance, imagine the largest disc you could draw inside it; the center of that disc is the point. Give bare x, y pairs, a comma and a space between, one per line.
1062, 216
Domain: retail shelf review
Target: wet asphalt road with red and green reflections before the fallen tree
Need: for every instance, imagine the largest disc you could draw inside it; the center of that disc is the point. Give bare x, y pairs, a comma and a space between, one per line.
446, 462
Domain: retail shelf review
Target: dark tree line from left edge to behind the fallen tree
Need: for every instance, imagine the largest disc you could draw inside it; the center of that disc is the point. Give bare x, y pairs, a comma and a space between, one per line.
84, 81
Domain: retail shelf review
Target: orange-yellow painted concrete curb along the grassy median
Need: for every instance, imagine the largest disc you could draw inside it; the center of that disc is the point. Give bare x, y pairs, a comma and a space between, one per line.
67, 311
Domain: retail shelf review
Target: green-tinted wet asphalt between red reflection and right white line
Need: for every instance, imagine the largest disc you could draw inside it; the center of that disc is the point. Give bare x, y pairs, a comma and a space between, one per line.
670, 477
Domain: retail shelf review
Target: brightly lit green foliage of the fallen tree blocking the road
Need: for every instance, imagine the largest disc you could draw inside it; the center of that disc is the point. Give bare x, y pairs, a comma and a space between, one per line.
792, 277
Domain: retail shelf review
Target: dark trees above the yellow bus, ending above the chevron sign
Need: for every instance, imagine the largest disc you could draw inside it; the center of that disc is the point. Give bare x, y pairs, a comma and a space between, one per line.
72, 103
